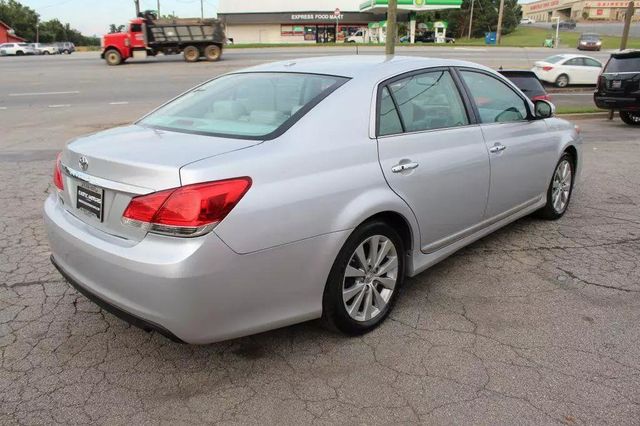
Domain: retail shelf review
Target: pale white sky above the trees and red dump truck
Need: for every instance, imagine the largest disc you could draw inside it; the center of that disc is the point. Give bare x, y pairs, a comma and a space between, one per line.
94, 16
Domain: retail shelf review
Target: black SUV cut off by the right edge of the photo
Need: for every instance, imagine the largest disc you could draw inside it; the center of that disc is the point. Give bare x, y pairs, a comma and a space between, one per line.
619, 86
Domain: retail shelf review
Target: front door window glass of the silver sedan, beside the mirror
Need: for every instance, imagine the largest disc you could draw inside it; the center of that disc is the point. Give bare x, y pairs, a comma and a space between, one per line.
496, 102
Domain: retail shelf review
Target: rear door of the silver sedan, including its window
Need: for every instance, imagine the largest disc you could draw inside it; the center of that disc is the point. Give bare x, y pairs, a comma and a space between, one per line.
432, 155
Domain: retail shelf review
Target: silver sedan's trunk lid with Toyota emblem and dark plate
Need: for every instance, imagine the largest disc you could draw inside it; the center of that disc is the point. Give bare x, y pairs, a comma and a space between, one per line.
102, 172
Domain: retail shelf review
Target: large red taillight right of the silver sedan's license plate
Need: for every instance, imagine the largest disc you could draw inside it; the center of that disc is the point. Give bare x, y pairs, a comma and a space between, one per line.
187, 211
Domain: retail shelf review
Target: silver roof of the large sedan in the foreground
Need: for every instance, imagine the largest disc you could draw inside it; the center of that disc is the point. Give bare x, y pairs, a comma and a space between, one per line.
361, 66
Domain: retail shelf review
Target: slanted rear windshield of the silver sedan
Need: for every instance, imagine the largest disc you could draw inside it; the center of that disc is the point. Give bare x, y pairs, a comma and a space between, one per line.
244, 105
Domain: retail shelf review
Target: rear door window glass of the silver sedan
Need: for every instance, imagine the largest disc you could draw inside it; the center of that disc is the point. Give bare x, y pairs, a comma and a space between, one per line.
429, 101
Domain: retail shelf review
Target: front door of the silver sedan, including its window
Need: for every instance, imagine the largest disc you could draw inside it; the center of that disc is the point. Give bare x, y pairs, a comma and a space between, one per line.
521, 151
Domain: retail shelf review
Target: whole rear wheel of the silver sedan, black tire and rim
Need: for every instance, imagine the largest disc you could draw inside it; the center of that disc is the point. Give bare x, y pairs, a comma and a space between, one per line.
358, 298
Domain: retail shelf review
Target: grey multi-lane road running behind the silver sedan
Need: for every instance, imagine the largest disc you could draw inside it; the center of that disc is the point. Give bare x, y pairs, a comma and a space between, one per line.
83, 82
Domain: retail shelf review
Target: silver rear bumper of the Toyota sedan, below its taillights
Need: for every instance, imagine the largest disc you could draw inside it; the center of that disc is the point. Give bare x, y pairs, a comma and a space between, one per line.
195, 290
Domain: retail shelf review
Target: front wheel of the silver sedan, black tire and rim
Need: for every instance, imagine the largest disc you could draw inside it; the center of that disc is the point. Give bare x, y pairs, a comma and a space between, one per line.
560, 189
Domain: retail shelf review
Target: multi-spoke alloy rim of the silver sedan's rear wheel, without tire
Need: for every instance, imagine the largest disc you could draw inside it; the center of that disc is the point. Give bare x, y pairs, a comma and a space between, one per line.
370, 278
